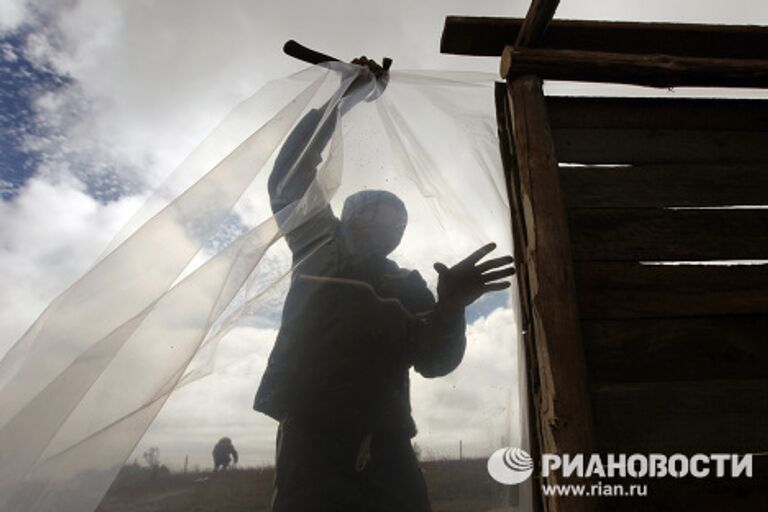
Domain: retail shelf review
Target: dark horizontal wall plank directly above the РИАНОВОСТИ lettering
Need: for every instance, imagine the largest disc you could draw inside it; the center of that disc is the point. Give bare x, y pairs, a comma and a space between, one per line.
721, 416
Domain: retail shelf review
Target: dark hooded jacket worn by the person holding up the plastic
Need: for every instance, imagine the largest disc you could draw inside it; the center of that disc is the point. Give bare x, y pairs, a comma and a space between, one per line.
351, 327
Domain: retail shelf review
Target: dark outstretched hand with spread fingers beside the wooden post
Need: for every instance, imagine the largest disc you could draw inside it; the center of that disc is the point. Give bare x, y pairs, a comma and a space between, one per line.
465, 282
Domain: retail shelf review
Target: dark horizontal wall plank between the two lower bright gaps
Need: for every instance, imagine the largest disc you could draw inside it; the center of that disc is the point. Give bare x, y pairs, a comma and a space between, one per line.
631, 234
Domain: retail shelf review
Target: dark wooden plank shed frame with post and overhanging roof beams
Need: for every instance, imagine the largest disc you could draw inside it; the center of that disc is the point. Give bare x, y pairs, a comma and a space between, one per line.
638, 337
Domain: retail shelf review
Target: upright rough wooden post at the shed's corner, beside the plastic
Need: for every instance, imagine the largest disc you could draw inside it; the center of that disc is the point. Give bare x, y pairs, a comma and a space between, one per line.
564, 409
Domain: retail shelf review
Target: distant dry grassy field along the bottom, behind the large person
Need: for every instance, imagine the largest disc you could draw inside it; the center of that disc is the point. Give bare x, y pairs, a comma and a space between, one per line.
455, 486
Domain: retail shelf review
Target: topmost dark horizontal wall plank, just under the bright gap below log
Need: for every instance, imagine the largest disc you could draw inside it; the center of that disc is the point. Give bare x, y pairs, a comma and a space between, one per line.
658, 113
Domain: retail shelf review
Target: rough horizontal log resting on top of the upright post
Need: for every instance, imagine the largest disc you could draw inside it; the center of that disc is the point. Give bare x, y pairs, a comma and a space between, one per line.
635, 69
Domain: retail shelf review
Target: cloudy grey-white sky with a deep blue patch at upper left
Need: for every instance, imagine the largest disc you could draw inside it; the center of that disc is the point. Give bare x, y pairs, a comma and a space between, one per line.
101, 99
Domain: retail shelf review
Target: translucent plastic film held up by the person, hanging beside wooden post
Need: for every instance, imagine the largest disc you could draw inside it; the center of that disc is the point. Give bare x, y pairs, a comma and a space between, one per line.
305, 228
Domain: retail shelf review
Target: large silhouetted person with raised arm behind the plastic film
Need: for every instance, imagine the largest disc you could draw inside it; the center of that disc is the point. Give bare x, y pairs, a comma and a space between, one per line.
353, 324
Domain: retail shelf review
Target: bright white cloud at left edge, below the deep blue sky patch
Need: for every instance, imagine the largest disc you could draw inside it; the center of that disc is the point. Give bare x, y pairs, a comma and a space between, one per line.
49, 236
